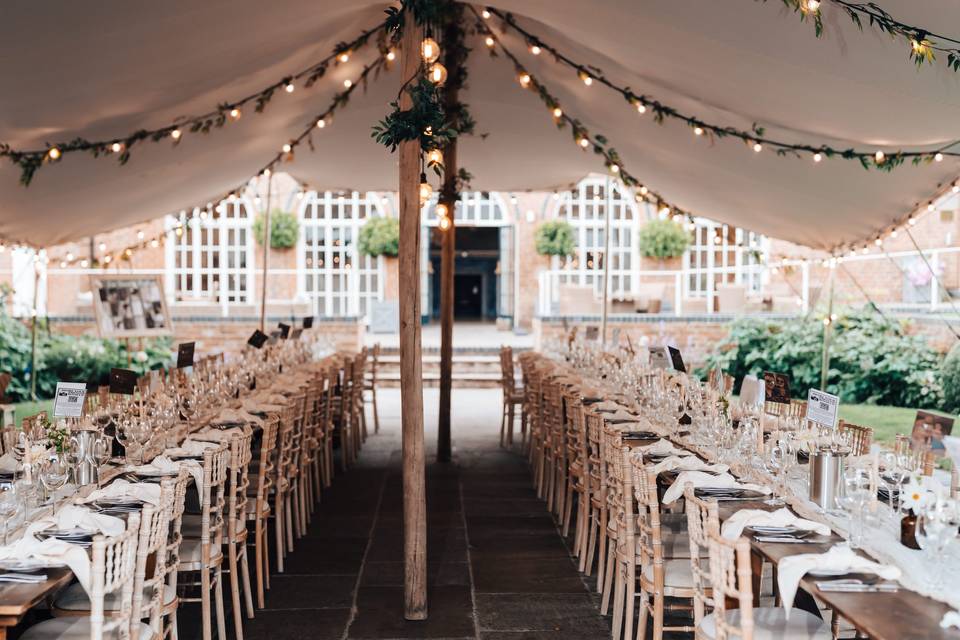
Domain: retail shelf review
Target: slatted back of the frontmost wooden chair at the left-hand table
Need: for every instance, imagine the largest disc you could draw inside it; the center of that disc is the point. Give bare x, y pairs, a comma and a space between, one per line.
112, 568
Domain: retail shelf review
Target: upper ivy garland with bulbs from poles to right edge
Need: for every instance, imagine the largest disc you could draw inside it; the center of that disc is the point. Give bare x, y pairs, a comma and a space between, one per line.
755, 138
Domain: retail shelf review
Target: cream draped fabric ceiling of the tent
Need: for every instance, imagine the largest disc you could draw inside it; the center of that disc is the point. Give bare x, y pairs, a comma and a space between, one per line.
111, 67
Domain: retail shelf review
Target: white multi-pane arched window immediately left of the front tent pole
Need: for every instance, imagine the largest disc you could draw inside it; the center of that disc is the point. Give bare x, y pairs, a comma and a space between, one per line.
331, 272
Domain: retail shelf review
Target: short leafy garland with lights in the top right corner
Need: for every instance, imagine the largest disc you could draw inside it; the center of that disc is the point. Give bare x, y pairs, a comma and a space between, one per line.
923, 43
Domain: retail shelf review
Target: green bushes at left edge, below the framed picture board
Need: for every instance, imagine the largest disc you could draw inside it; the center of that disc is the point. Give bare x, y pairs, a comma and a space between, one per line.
67, 358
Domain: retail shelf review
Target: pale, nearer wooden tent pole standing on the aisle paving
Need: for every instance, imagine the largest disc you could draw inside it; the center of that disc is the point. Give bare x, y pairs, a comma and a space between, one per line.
411, 380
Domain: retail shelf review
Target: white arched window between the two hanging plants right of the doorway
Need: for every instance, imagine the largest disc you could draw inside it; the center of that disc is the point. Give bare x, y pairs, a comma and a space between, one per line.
586, 208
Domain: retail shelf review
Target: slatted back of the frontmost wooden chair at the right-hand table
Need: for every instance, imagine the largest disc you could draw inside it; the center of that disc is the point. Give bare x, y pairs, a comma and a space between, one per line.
730, 577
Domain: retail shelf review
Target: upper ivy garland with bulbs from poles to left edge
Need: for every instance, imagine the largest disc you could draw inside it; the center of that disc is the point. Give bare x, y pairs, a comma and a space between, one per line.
30, 161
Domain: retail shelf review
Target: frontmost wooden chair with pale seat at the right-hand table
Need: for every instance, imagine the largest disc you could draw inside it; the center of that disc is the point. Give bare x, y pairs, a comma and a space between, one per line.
731, 579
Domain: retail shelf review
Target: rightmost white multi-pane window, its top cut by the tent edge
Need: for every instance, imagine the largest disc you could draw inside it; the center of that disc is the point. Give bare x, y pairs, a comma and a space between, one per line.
723, 254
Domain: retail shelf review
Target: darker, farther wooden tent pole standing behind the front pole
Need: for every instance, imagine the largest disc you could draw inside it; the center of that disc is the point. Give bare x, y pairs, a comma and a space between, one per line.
453, 59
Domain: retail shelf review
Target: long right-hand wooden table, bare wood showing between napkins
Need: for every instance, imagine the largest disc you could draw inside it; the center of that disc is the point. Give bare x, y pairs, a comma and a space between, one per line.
895, 615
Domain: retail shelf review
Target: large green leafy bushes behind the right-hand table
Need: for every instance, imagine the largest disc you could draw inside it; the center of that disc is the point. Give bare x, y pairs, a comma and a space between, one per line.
871, 361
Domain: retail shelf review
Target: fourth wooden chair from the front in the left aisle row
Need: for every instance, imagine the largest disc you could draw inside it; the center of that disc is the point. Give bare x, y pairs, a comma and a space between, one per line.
204, 555
